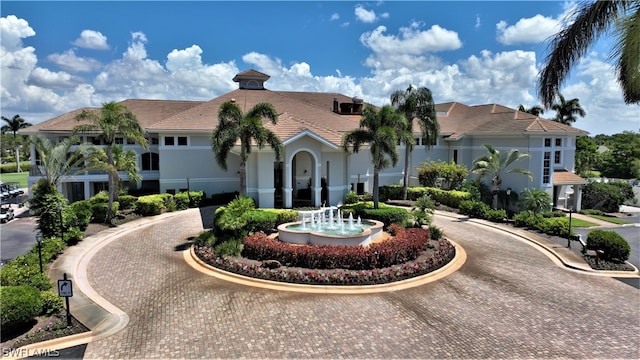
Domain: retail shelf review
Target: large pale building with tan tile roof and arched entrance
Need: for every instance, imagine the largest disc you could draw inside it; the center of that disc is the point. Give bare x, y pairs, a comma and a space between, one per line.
314, 169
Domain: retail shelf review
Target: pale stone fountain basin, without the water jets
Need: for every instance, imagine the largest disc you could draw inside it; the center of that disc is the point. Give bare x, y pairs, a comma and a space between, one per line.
362, 235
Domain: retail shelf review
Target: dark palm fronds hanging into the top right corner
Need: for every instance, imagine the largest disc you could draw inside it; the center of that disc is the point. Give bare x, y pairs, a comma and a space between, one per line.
591, 20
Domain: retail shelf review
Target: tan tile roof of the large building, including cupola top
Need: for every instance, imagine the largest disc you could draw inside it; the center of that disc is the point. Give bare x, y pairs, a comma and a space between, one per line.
312, 112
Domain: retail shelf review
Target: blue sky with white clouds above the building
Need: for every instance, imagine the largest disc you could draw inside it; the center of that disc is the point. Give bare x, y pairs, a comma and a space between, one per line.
59, 56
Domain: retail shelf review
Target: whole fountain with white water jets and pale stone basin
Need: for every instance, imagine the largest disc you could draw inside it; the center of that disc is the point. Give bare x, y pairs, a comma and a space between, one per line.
321, 227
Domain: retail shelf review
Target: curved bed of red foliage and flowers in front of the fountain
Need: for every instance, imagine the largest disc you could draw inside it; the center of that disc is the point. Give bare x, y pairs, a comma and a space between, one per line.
432, 256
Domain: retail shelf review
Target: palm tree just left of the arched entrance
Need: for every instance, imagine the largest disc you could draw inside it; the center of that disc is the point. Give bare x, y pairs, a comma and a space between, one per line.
233, 125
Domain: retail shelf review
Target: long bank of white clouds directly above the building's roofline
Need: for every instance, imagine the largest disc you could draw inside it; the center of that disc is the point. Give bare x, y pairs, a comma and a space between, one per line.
395, 61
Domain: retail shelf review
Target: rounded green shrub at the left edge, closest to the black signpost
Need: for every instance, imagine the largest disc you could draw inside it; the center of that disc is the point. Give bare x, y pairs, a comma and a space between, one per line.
19, 306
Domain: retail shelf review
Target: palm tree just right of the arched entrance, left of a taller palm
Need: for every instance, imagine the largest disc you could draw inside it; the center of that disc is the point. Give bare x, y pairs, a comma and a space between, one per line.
380, 130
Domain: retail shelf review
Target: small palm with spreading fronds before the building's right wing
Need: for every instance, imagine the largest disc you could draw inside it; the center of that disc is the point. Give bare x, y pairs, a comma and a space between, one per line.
495, 164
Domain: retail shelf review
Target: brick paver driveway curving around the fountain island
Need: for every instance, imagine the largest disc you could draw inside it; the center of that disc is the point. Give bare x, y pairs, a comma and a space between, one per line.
507, 301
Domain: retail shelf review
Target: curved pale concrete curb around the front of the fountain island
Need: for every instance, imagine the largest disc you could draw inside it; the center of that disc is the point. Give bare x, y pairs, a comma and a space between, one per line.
456, 263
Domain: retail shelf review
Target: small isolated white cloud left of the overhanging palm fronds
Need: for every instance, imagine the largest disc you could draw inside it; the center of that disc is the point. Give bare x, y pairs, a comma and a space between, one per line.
532, 30
